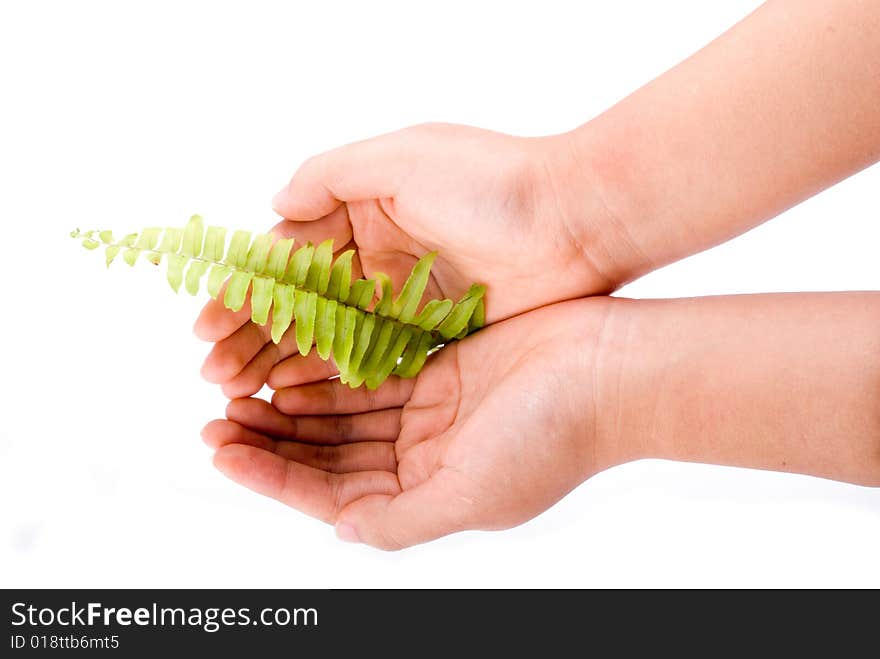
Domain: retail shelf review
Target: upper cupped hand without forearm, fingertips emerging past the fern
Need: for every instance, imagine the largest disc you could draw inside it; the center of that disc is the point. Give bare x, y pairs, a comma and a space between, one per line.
489, 203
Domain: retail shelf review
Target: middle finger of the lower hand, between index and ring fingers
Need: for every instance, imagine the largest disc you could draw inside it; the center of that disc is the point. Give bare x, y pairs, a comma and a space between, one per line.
342, 459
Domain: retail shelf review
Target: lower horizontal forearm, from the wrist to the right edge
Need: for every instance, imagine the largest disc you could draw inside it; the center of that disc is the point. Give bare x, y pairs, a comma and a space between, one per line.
787, 382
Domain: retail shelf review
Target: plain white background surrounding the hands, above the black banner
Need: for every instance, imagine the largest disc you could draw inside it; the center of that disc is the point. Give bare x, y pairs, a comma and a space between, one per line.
125, 115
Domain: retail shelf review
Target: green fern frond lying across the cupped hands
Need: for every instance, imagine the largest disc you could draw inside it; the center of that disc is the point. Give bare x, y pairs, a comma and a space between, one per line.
369, 337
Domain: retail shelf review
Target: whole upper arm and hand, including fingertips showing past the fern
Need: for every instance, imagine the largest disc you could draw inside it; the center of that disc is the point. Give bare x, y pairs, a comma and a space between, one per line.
787, 96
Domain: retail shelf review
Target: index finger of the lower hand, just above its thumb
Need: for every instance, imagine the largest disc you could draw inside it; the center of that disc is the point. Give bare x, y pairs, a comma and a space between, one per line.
315, 492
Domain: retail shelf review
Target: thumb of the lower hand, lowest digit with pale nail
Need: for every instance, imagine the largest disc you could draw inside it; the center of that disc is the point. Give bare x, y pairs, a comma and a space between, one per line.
437, 507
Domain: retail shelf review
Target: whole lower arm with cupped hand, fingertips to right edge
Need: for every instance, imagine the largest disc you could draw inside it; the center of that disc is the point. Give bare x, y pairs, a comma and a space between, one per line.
492, 432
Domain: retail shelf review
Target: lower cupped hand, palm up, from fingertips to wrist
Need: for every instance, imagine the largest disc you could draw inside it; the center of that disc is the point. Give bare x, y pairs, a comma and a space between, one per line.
494, 430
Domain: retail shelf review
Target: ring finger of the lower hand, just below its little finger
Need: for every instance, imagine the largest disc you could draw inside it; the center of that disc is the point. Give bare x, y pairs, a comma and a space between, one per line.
258, 415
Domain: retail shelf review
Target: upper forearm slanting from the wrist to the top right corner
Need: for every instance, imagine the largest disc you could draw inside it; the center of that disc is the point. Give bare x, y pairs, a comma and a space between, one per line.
780, 107
